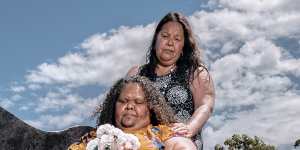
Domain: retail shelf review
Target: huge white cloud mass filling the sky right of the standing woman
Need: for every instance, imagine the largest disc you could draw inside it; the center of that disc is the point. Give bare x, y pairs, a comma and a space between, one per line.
255, 94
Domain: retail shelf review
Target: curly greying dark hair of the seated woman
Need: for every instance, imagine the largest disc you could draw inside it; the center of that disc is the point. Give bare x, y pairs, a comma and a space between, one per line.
161, 112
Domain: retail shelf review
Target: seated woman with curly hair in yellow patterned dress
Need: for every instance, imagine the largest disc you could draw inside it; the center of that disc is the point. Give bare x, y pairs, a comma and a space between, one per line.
135, 106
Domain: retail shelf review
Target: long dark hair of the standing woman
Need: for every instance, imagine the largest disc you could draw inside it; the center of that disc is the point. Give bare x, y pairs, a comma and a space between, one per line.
187, 63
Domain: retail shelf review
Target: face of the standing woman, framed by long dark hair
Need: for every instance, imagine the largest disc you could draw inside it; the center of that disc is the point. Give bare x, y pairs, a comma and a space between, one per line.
169, 43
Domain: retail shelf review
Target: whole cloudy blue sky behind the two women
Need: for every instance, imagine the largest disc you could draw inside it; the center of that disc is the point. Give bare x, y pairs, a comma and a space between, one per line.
59, 57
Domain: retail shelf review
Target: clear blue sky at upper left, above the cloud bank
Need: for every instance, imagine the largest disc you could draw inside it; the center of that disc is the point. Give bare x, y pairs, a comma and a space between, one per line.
34, 31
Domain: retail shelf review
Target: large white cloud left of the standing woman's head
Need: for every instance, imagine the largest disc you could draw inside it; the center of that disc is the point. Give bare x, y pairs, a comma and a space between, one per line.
107, 55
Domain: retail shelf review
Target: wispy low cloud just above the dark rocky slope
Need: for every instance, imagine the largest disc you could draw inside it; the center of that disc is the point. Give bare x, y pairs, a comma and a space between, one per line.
79, 110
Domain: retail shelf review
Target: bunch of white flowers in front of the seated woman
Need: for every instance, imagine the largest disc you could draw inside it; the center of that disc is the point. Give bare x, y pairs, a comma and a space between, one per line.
111, 138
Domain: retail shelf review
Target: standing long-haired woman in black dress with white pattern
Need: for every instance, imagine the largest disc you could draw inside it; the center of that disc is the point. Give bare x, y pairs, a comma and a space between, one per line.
174, 65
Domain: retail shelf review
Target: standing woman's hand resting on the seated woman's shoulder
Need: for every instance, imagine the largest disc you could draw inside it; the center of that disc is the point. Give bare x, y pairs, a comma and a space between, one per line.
182, 129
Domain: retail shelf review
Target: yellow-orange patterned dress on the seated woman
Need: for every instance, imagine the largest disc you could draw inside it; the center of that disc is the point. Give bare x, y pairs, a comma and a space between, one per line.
150, 138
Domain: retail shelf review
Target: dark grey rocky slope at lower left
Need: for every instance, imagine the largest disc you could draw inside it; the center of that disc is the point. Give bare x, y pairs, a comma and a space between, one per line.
17, 135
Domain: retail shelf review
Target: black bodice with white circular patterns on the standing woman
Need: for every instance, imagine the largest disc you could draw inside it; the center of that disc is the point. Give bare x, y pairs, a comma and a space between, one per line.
178, 96
